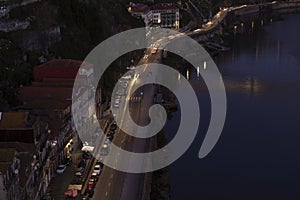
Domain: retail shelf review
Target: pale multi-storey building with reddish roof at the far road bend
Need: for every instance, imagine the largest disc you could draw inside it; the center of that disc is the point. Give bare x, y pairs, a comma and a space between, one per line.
165, 15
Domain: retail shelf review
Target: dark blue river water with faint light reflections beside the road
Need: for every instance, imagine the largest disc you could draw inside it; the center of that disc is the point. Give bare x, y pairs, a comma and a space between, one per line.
258, 154
